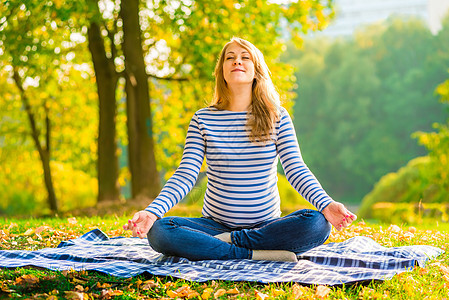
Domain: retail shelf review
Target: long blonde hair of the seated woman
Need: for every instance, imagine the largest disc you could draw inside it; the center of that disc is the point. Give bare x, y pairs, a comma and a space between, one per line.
265, 103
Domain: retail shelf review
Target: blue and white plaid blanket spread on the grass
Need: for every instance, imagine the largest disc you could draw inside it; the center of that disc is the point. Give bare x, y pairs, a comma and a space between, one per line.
357, 259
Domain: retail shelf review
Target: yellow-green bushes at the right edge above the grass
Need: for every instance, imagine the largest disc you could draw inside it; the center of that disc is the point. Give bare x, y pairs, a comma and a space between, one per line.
423, 179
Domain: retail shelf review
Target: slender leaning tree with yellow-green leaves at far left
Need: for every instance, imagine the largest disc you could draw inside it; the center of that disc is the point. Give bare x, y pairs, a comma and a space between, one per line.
38, 56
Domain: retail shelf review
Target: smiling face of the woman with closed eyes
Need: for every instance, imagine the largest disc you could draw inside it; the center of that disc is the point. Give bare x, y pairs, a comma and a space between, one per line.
238, 66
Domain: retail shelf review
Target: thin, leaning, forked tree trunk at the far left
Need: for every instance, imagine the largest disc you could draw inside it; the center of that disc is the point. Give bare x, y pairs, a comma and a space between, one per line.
44, 151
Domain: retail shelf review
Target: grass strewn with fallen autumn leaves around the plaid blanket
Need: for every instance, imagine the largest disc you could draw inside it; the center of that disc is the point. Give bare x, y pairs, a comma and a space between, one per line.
430, 282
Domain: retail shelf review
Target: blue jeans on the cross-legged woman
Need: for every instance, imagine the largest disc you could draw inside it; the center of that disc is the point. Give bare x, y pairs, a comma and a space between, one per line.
193, 238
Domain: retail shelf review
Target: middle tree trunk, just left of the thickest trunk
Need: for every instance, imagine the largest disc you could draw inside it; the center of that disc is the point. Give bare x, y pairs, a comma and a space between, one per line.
106, 78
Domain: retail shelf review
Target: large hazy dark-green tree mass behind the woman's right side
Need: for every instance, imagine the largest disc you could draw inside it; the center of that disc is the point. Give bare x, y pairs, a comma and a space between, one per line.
360, 99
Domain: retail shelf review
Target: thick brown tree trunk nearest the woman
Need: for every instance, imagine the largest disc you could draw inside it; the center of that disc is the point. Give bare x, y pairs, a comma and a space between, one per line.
142, 162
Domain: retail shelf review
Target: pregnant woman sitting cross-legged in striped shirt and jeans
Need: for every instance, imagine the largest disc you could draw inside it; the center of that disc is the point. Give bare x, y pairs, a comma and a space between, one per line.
242, 135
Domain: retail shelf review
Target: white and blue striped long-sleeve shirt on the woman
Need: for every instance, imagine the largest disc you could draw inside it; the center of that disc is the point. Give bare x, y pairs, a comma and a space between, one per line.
242, 175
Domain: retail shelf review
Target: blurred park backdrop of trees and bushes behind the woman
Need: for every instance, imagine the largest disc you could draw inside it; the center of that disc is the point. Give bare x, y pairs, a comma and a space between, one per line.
96, 98
